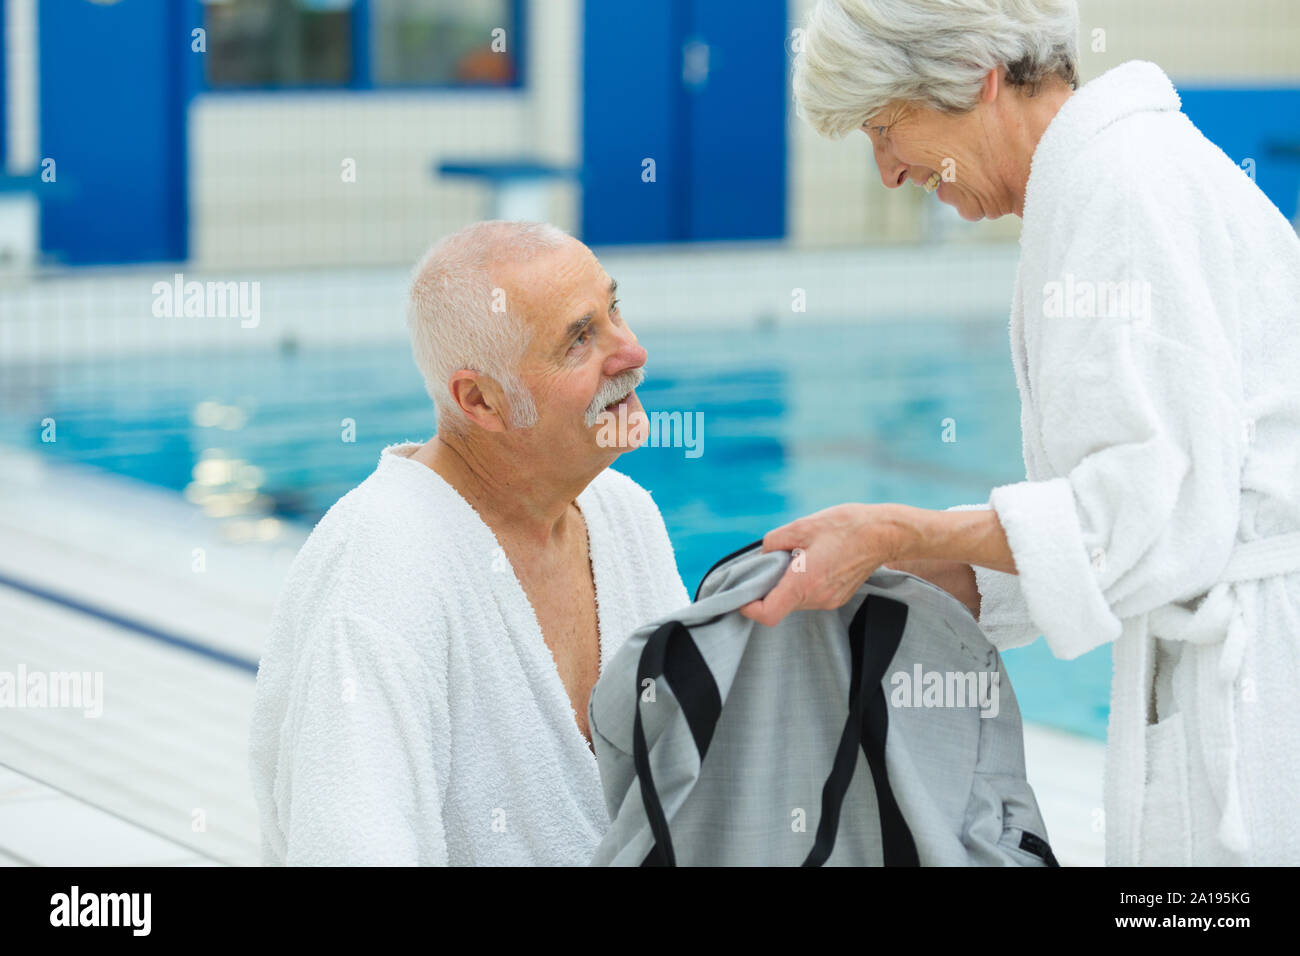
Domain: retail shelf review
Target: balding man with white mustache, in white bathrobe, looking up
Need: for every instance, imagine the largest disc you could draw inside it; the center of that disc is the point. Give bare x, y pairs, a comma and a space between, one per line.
423, 699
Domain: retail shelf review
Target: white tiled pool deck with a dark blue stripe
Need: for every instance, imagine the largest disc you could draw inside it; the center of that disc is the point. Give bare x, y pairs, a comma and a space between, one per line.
161, 778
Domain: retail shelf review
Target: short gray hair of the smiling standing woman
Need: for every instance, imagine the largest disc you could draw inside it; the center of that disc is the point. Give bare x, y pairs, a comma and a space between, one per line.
859, 57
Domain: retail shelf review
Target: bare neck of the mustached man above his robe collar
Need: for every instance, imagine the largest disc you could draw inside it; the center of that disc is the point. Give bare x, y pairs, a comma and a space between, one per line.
521, 501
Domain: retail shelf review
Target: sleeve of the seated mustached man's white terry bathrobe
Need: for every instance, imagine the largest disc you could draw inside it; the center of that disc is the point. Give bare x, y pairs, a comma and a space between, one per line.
359, 785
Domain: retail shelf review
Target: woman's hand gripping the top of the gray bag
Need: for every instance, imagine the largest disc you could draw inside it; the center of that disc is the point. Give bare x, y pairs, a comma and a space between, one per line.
839, 550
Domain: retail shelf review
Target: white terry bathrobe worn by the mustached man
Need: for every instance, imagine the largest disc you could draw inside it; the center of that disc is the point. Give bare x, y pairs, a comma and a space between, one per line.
409, 710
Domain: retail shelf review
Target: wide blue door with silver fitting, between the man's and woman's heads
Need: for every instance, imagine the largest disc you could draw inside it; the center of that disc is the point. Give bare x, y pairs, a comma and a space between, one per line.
699, 88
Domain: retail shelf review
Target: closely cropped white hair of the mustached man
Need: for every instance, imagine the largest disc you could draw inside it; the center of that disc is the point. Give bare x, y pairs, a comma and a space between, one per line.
460, 315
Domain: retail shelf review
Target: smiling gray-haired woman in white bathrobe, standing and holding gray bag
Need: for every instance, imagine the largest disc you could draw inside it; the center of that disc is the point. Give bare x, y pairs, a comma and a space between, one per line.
1158, 352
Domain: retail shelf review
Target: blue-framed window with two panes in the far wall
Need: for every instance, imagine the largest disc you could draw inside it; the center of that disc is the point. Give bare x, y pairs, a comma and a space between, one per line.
362, 44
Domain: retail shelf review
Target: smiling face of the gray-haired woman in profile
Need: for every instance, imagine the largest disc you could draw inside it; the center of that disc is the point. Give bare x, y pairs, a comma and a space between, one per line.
951, 153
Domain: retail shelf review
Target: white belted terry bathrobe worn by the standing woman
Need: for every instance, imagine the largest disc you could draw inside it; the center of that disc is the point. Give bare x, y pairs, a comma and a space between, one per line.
1155, 443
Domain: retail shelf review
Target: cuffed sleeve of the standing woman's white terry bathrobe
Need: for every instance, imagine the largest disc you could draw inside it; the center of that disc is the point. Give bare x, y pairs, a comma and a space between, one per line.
1138, 414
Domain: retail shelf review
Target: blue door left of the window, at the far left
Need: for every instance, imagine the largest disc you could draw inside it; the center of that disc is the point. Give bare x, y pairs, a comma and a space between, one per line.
112, 119
